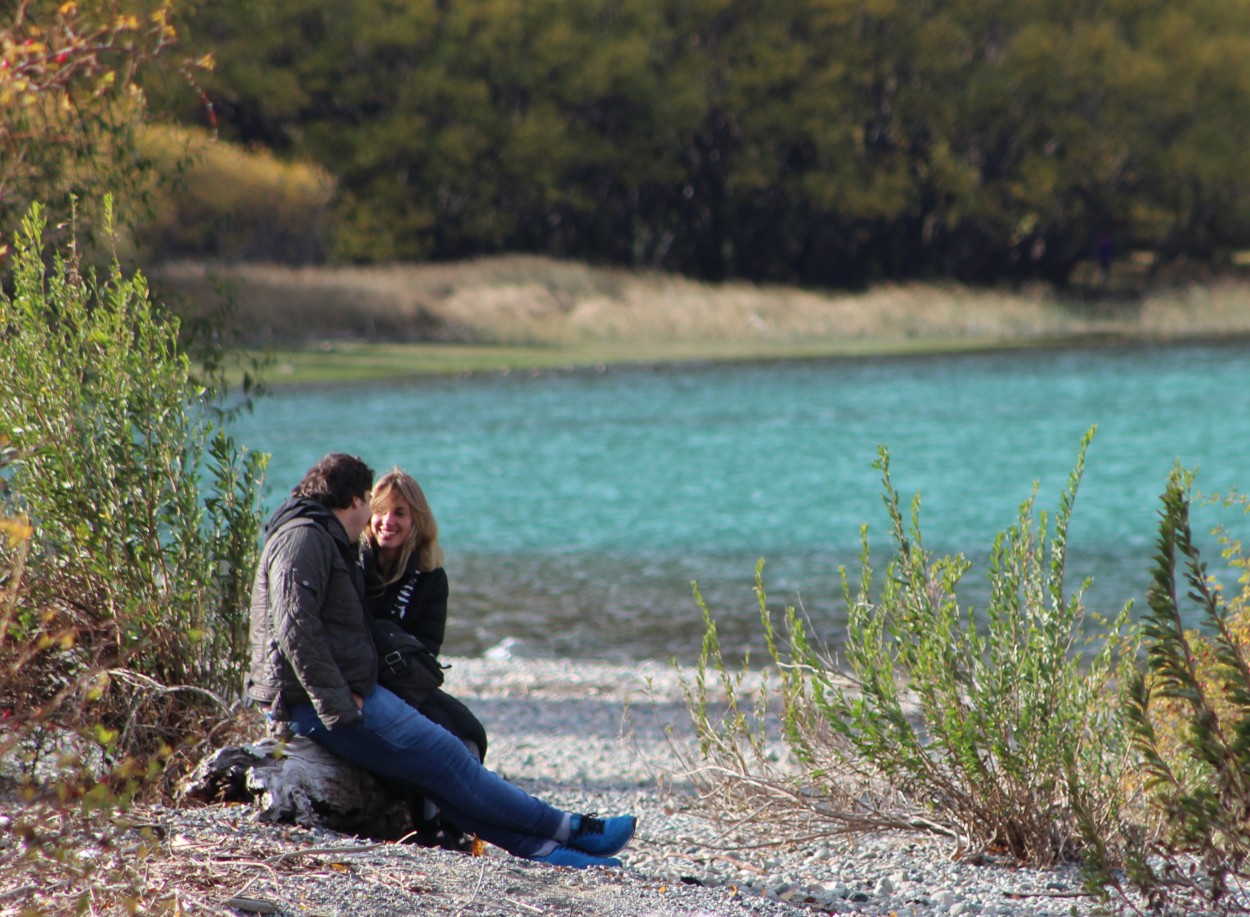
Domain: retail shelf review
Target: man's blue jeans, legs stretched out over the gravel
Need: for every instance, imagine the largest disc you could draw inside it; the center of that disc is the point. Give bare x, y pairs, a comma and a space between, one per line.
398, 743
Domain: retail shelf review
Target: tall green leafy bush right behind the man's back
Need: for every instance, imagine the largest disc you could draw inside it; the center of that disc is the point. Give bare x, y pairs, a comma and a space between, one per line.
132, 614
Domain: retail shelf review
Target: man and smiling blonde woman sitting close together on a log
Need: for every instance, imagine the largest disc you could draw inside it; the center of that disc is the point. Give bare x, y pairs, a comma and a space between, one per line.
314, 662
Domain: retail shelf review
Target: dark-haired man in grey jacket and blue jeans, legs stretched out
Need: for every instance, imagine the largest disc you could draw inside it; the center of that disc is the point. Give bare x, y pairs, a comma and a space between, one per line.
314, 665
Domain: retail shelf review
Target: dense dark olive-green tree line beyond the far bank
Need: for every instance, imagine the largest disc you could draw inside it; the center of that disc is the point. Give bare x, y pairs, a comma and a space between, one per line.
816, 142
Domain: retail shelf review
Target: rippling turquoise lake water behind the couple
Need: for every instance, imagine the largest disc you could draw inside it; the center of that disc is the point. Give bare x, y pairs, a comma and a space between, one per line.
577, 508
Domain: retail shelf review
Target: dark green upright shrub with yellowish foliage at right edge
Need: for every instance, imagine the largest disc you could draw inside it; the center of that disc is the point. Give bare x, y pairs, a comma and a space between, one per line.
1189, 710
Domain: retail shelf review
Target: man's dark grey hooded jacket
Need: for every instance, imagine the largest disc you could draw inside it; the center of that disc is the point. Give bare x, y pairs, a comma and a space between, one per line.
309, 635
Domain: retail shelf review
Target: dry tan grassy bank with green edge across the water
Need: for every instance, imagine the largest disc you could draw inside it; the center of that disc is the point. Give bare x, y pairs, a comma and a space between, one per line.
521, 313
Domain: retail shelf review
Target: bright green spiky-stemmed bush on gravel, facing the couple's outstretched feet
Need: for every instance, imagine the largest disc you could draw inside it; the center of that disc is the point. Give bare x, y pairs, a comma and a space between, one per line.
992, 729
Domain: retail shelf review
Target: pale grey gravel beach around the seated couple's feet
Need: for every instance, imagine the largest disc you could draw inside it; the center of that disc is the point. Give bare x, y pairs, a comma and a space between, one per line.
586, 738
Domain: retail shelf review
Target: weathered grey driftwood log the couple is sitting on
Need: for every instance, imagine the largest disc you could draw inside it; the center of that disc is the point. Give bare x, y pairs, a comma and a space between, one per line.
296, 781
